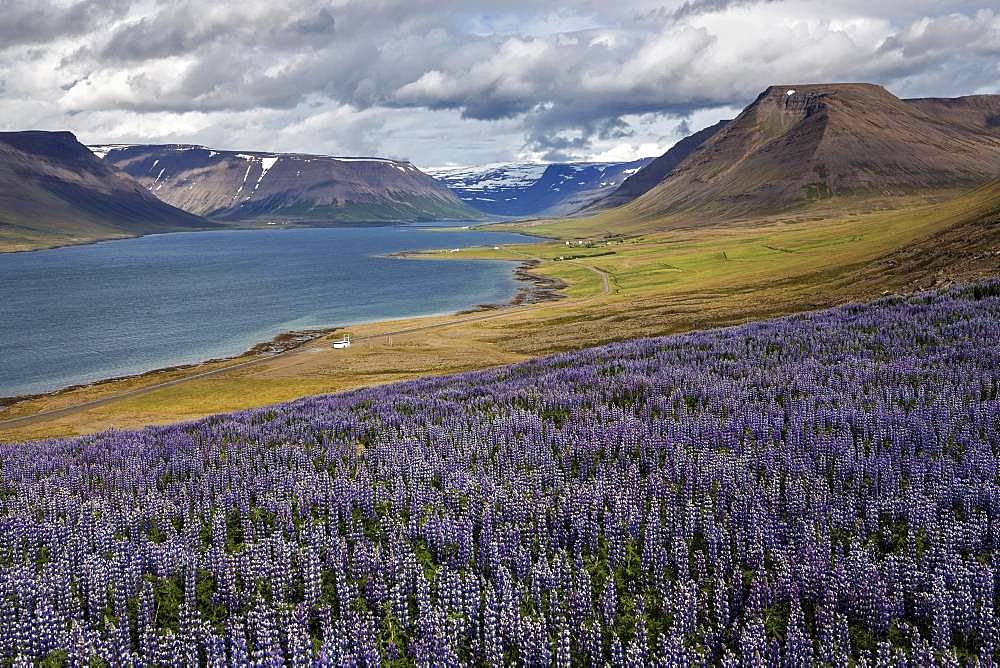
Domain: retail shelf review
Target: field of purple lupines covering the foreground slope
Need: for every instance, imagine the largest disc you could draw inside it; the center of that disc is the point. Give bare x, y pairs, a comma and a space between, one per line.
820, 489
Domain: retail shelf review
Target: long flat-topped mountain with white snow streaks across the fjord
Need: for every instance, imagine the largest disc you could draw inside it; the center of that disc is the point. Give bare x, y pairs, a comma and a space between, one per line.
290, 187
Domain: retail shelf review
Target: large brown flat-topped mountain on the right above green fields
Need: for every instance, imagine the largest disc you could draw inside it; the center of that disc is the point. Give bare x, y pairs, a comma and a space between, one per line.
798, 144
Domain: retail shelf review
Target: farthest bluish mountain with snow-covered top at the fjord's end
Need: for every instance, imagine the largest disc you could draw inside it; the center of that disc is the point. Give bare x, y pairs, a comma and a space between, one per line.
531, 189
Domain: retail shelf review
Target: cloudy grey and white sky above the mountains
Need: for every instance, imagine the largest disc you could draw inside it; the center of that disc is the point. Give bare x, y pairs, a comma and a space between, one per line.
441, 82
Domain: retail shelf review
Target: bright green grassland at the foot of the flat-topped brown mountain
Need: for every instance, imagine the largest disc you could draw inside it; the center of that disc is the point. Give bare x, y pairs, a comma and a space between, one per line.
741, 254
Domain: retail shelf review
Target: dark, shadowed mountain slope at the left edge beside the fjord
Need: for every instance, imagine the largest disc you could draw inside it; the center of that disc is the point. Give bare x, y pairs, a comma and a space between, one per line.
53, 191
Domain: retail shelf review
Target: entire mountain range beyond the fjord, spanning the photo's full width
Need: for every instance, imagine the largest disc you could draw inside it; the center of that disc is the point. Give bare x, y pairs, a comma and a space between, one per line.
793, 146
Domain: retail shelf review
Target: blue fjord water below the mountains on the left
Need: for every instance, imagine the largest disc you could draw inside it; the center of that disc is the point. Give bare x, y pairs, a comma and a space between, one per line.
83, 313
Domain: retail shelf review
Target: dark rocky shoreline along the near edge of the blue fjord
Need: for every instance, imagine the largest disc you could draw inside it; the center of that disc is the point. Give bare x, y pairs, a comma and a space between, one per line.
537, 289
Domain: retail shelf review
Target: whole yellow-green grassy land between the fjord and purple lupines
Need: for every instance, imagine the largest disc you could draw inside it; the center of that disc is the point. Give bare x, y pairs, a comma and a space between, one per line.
661, 278
